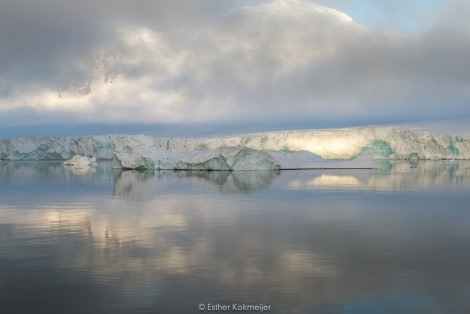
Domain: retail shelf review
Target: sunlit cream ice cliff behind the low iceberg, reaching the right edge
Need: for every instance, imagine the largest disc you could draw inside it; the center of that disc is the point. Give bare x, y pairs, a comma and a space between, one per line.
379, 143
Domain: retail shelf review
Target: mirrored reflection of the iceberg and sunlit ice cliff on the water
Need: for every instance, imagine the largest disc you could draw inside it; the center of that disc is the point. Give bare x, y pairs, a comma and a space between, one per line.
398, 176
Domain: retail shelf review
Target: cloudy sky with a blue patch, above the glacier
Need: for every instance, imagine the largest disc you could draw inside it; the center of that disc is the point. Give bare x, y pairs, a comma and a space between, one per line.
209, 66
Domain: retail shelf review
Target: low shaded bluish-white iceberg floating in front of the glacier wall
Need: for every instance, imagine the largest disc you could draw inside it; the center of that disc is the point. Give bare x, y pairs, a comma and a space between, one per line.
141, 152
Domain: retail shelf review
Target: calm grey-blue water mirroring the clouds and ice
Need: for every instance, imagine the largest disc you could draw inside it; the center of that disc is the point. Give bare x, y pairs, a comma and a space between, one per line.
395, 240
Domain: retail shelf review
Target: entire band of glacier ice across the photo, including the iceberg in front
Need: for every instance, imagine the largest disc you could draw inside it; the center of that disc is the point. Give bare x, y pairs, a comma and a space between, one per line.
298, 149
